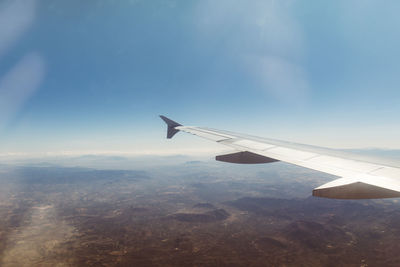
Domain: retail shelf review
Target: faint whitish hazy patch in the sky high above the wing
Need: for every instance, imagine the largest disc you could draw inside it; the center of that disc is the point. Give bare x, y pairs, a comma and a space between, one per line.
265, 40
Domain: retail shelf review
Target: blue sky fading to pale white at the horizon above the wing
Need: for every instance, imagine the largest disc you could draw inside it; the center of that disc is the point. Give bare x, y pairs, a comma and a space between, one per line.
93, 76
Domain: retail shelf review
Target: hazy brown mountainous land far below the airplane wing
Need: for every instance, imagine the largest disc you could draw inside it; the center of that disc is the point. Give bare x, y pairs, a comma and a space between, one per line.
187, 216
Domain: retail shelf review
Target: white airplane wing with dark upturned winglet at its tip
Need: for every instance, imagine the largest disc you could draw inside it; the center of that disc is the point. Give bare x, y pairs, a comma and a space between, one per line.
359, 177
